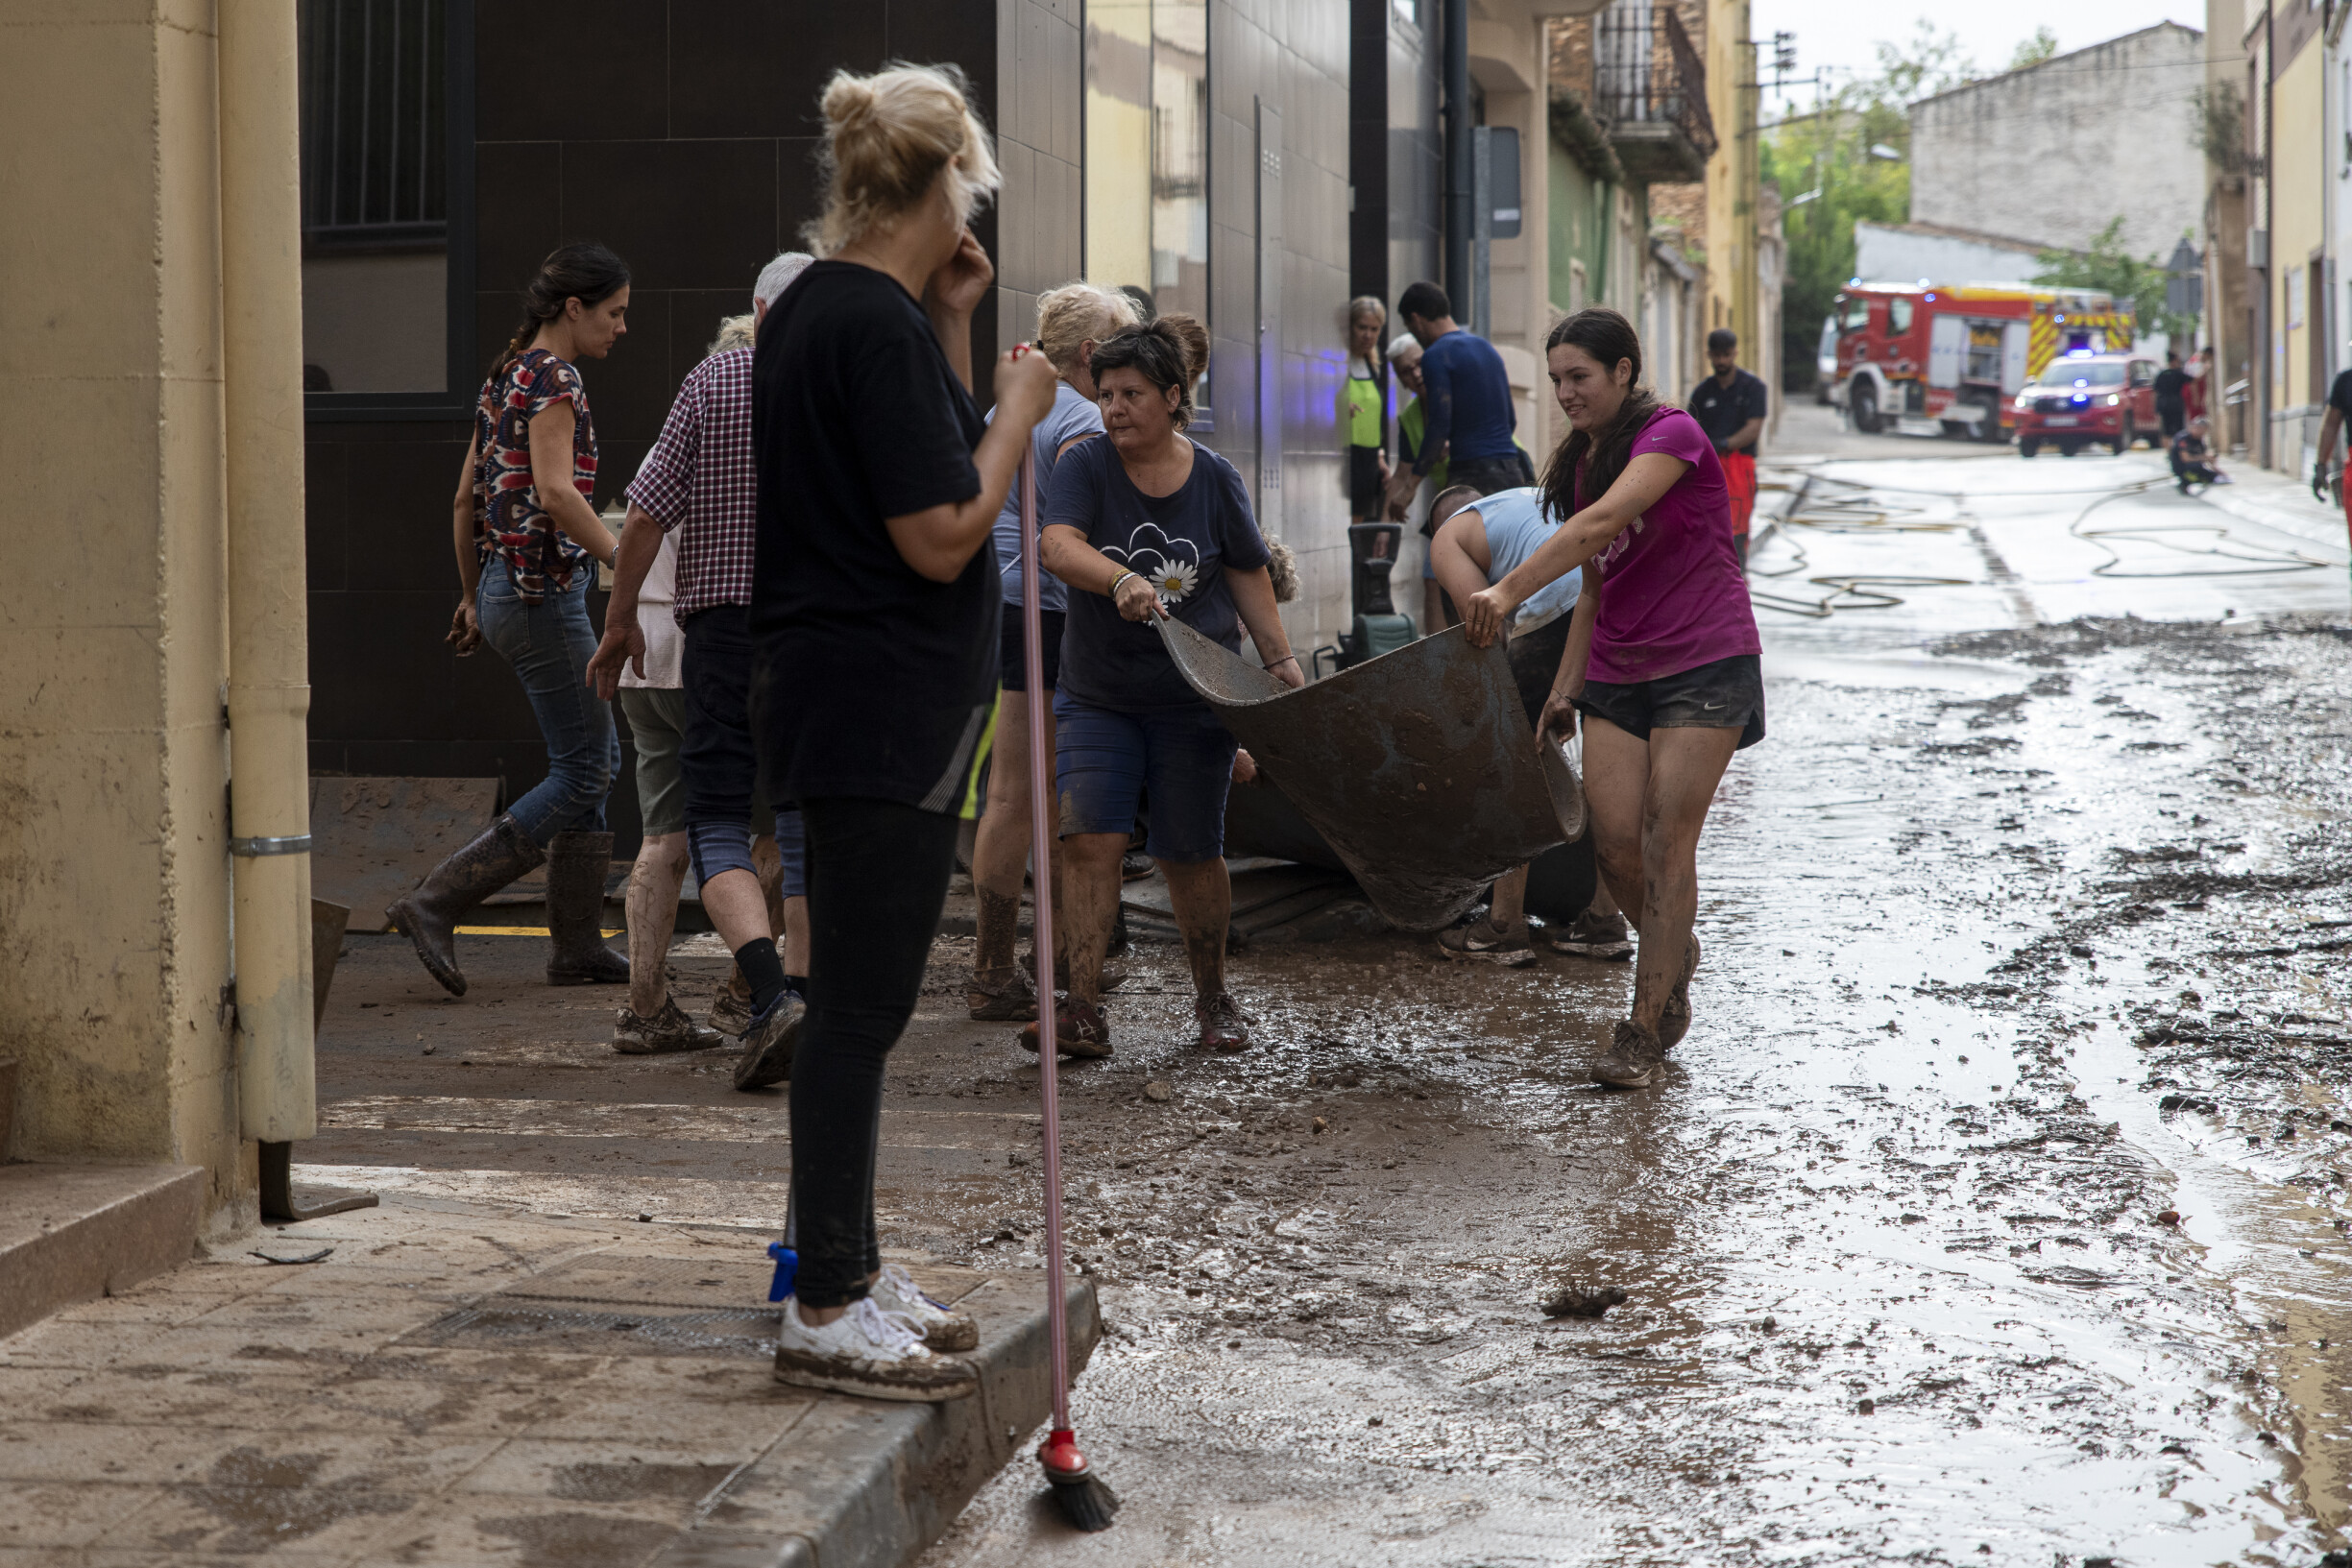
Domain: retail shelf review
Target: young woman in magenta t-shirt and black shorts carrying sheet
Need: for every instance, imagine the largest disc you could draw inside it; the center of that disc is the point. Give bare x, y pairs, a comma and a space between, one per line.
1662, 652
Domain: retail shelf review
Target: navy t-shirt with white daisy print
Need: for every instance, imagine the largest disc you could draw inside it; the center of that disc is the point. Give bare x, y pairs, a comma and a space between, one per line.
1180, 542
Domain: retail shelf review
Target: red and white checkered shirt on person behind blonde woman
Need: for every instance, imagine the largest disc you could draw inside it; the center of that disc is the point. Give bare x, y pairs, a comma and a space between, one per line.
702, 485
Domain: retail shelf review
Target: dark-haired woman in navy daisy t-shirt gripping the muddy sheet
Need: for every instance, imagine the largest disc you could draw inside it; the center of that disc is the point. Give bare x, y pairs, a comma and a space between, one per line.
1149, 525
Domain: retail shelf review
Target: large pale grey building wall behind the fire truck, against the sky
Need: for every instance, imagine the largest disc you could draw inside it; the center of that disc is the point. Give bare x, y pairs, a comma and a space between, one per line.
2062, 149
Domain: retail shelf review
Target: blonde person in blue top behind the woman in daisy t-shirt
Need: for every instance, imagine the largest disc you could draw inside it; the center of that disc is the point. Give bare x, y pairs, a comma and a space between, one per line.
1071, 321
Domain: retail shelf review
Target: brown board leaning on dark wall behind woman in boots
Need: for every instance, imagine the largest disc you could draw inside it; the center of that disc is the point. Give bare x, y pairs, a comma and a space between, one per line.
375, 838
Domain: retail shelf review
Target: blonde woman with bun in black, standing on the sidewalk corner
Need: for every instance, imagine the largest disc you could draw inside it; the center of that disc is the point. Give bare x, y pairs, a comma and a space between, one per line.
876, 629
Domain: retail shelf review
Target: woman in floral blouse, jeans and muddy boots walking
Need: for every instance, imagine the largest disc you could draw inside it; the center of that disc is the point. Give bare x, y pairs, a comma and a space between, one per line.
528, 544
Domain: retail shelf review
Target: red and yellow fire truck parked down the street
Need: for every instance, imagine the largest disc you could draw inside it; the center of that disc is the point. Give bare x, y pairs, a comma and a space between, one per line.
1939, 359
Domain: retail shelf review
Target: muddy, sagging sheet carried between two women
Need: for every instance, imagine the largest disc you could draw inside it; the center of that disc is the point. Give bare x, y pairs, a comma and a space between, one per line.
1415, 768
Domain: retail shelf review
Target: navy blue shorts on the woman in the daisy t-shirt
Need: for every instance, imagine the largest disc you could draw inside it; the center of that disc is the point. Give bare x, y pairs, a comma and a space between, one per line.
1107, 763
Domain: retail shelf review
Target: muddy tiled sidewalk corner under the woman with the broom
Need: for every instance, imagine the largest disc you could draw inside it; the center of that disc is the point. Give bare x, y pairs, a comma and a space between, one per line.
465, 1386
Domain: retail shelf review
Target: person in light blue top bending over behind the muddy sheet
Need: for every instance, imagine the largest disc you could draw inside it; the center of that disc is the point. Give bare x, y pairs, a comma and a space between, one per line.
1478, 544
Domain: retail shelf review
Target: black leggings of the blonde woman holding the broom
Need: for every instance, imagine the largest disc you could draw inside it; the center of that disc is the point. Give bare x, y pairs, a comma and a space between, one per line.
878, 880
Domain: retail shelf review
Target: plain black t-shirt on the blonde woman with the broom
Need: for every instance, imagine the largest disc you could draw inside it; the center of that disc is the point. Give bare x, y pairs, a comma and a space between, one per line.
874, 681
